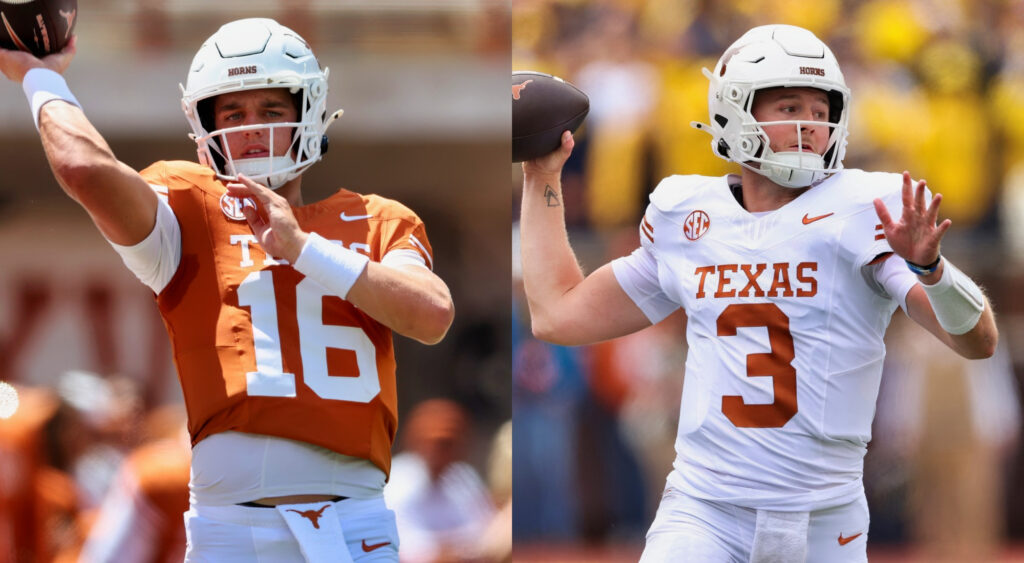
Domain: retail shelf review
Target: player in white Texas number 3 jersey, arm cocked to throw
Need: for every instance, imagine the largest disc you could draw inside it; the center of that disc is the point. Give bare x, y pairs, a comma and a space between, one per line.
789, 274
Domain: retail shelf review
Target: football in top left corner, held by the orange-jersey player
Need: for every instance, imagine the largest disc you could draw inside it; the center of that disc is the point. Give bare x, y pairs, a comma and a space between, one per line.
40, 27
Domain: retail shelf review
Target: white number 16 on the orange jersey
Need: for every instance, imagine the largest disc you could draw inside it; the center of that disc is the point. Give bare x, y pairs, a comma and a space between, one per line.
270, 379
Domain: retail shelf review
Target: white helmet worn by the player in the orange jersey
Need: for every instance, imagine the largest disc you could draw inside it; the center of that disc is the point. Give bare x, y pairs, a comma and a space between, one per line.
250, 55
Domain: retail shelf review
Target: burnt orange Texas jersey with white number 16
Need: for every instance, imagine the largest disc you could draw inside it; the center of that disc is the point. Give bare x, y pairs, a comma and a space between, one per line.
260, 349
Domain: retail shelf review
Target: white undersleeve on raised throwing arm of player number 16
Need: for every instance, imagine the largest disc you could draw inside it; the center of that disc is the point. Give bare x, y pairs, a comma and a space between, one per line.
156, 259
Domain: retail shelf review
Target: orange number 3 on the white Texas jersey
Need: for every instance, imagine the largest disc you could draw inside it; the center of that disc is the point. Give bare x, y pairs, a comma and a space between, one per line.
778, 364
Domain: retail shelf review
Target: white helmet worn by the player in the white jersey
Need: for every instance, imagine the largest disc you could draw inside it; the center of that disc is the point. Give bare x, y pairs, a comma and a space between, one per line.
773, 57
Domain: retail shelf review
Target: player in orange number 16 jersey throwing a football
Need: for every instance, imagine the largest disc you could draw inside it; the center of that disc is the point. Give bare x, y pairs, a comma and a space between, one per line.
281, 314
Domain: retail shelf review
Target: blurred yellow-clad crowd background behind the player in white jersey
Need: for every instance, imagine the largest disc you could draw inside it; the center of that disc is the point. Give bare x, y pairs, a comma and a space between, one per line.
938, 90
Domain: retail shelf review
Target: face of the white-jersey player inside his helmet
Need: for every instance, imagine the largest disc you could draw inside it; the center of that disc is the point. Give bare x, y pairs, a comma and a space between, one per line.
794, 104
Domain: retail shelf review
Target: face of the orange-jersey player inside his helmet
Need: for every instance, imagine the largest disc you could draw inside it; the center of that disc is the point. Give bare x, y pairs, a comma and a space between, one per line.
268, 106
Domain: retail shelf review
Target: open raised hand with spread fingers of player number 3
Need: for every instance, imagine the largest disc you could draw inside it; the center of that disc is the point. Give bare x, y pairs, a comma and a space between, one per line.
916, 237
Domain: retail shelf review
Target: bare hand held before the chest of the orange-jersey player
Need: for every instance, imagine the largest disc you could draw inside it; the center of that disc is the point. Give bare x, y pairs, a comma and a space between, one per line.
272, 221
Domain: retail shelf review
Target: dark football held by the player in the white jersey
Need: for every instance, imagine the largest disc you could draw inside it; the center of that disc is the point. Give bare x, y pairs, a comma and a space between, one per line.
543, 107
